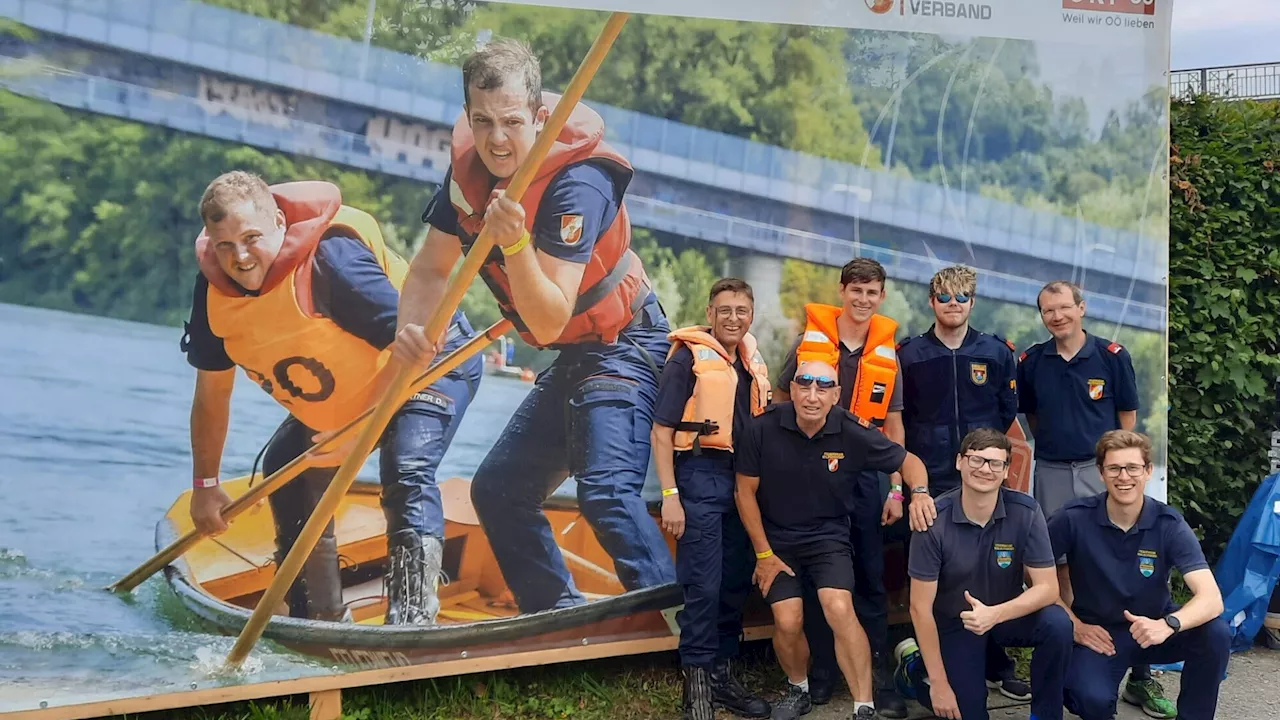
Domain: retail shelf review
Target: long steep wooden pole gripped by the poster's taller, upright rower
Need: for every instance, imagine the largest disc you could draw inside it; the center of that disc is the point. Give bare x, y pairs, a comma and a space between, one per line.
392, 400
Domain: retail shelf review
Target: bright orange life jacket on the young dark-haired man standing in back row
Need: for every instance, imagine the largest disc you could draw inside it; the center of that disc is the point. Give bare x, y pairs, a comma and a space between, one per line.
877, 371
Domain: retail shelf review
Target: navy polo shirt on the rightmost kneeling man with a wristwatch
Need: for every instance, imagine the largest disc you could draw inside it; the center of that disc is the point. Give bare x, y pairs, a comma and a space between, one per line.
1114, 571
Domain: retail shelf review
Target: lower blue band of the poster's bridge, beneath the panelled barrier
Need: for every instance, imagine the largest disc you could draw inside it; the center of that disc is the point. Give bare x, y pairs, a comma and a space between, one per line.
180, 112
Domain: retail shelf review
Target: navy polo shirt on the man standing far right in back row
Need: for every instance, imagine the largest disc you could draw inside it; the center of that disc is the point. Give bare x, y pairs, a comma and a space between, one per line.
1076, 403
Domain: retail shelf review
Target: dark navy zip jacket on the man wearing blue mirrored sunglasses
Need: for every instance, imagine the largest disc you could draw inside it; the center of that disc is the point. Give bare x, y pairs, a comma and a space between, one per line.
949, 393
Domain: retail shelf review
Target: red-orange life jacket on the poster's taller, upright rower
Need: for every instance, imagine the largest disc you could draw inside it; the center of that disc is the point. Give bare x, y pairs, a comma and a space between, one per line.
614, 285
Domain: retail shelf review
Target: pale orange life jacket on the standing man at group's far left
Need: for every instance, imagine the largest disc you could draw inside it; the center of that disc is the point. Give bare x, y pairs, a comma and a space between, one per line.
708, 420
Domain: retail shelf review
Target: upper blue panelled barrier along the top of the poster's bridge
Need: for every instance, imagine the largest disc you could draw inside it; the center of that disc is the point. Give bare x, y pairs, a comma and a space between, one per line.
248, 47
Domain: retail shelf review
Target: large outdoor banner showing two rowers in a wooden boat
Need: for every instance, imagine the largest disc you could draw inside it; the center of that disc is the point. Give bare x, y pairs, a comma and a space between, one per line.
156, 336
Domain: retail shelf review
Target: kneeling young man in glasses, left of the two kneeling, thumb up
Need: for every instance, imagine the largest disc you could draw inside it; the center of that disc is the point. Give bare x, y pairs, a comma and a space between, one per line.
967, 585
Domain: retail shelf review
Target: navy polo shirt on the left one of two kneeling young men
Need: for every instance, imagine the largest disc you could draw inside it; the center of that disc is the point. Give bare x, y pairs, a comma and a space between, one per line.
988, 562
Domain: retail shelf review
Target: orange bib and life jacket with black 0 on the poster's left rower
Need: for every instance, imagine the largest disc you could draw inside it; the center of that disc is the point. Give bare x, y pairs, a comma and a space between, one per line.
321, 373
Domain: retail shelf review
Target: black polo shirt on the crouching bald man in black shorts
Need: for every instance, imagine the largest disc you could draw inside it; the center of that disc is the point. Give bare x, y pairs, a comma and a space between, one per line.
807, 485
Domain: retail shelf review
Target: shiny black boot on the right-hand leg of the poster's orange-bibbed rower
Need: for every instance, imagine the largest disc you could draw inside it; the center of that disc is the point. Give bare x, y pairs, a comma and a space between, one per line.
413, 577
